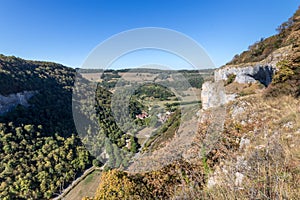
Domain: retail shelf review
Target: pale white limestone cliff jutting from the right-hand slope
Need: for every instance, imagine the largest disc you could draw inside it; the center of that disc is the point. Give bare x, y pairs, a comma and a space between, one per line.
213, 93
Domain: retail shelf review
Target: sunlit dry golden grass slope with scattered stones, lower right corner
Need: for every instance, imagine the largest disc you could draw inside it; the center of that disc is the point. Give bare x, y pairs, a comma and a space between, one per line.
270, 163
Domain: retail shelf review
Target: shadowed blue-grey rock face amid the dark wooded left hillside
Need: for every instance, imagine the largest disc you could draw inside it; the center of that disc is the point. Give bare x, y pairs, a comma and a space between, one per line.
9, 102
